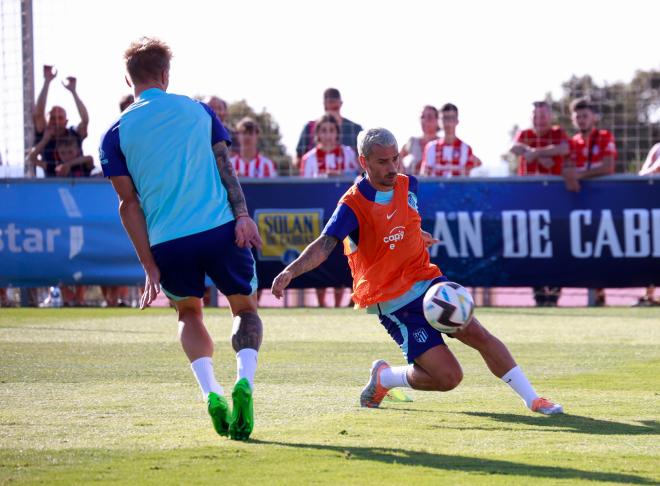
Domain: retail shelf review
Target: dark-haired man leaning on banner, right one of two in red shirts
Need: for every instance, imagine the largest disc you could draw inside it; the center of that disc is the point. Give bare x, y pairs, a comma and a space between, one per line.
593, 154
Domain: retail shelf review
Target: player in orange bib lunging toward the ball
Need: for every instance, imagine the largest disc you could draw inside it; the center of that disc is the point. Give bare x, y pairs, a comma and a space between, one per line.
378, 221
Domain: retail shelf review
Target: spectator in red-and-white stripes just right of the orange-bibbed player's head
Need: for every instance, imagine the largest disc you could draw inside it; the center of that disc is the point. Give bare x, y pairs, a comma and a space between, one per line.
448, 156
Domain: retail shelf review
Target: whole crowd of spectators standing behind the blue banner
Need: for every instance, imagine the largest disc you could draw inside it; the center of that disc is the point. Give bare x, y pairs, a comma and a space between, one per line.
327, 147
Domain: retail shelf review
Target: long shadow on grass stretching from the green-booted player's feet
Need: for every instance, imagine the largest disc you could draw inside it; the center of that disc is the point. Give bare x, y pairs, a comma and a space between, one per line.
477, 465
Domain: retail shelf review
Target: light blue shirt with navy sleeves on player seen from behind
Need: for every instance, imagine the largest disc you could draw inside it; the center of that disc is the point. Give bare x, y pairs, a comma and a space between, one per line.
164, 143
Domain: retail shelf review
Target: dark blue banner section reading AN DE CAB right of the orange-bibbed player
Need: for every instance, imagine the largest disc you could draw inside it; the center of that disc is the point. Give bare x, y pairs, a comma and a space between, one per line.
518, 232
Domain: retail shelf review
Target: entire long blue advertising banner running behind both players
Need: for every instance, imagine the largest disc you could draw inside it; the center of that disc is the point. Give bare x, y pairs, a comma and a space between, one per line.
491, 232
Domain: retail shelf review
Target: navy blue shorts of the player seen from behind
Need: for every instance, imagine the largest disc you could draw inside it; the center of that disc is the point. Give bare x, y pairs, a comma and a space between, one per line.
184, 262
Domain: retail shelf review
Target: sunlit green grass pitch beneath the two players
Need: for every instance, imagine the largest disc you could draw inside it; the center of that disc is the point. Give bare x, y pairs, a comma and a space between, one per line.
107, 396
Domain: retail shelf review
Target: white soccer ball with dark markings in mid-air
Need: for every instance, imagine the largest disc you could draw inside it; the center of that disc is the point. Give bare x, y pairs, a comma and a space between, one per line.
448, 306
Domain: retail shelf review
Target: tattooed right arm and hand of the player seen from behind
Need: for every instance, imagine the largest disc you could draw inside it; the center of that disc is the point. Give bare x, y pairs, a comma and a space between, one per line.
247, 233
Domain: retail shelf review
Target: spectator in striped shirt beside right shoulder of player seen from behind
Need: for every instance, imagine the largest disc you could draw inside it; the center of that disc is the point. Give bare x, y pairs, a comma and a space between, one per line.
249, 162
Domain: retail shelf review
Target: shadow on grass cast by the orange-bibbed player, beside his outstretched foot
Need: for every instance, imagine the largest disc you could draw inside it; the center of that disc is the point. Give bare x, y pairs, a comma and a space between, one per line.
574, 423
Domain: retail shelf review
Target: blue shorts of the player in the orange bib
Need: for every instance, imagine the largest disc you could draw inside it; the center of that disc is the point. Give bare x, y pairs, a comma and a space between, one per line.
409, 328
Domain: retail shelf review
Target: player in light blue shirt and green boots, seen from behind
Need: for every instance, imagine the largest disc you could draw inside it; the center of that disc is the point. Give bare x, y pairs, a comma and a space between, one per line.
183, 208
